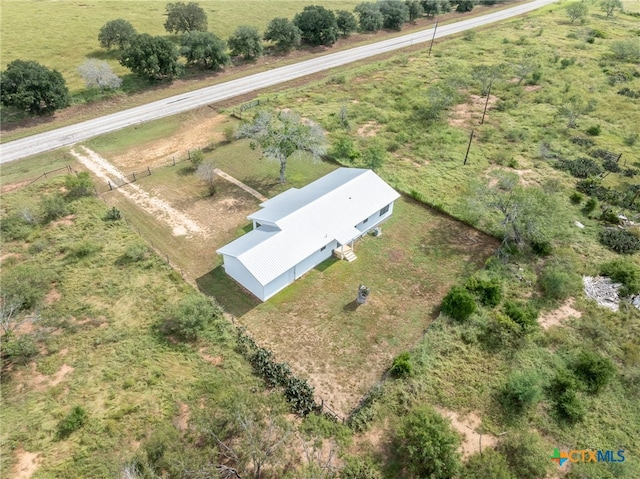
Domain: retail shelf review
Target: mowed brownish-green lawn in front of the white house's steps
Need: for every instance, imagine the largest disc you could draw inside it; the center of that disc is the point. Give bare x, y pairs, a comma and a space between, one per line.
343, 349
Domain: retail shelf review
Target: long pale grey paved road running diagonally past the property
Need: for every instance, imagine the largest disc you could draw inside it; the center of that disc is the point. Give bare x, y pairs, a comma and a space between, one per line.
73, 134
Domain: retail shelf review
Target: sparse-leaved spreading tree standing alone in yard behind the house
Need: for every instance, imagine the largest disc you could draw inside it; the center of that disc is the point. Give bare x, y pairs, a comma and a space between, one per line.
281, 135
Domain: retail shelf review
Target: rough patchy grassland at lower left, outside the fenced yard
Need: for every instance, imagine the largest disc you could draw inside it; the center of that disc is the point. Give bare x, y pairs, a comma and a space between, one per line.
97, 350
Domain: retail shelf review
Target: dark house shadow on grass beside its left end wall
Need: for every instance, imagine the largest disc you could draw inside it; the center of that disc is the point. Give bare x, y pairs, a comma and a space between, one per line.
231, 296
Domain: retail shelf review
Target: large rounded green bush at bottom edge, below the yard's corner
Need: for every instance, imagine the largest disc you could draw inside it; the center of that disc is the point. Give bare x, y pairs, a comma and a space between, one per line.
427, 445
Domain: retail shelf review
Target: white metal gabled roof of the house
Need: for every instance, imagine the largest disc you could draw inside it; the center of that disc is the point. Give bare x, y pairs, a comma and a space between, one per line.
301, 221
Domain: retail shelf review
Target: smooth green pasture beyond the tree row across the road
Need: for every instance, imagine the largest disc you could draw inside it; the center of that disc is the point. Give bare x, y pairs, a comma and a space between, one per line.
72, 28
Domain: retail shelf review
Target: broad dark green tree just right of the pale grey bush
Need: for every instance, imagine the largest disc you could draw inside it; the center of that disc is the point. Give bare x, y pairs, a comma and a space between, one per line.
152, 57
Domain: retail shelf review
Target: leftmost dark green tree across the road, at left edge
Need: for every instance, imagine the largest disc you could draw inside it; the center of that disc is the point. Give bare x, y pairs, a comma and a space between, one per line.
31, 87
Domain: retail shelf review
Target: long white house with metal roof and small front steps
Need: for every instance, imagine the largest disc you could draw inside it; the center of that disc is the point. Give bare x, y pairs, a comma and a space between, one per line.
300, 228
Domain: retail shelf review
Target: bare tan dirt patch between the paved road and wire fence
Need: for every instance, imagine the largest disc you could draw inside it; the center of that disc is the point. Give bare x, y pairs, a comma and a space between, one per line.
195, 133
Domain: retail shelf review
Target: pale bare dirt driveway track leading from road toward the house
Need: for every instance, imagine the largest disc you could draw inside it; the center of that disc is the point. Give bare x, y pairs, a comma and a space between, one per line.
180, 223
